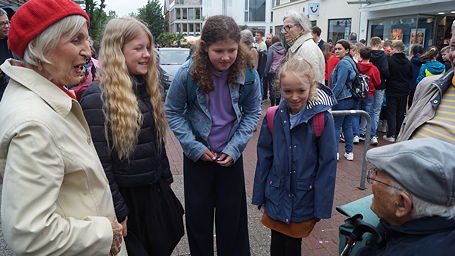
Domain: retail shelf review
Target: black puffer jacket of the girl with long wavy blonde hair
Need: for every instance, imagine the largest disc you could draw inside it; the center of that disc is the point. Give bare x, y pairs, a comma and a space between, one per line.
147, 165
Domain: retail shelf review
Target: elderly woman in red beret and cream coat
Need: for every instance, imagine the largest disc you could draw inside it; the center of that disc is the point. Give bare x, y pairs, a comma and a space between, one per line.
56, 198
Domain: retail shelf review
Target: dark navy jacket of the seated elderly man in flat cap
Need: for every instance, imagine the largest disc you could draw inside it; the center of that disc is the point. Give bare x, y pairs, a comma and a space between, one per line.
433, 236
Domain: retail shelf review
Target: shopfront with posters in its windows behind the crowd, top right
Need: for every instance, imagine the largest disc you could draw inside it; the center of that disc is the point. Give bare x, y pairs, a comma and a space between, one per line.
425, 22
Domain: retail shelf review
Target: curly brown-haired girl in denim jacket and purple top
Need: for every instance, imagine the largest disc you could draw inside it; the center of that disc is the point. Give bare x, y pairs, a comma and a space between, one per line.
212, 107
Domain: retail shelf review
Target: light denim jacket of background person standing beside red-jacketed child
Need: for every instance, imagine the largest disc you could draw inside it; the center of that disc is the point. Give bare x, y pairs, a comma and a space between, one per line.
342, 77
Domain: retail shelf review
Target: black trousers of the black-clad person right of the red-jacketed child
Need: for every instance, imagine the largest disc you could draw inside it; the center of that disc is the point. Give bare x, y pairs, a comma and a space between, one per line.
396, 108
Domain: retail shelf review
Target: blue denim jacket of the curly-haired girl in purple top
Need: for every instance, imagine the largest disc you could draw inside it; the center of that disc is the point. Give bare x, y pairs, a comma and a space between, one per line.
192, 126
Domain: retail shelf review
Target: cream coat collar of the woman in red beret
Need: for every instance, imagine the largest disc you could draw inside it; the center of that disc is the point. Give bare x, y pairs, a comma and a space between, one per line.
49, 92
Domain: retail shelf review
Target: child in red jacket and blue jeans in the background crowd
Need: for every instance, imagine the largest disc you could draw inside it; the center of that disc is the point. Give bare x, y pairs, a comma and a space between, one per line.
366, 68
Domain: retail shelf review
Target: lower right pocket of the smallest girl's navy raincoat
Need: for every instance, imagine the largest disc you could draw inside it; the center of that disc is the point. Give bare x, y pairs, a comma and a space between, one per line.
304, 198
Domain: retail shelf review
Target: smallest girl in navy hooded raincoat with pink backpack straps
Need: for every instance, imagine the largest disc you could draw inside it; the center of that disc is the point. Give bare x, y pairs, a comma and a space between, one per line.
296, 167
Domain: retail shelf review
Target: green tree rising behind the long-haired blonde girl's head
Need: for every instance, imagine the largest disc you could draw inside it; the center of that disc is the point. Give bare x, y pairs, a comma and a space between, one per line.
151, 14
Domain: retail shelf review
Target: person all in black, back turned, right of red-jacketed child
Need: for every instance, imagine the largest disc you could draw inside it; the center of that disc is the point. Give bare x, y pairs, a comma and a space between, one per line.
397, 90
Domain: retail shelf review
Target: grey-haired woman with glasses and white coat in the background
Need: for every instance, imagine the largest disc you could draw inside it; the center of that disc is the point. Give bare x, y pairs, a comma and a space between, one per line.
296, 30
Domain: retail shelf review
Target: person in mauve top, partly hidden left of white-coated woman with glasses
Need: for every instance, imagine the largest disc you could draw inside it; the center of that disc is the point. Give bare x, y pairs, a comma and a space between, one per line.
275, 56
